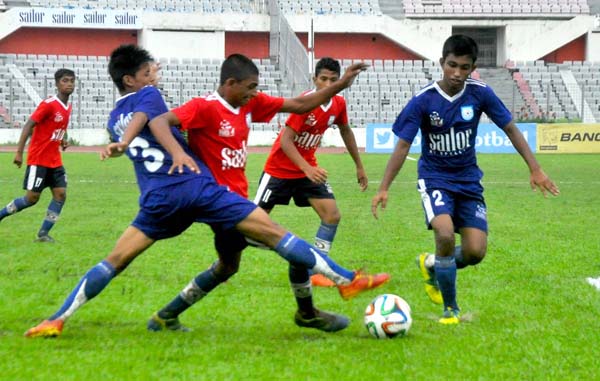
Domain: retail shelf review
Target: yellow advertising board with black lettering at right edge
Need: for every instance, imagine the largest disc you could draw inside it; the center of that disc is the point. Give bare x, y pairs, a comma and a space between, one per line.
568, 138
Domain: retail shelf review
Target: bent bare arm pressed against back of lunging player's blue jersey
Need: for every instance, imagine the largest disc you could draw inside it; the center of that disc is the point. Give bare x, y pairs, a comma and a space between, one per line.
161, 129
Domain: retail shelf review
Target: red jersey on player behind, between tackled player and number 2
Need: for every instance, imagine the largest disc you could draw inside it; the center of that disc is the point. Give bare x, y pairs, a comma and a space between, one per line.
309, 128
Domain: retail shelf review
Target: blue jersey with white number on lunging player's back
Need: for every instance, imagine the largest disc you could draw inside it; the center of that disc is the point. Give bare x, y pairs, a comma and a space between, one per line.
150, 160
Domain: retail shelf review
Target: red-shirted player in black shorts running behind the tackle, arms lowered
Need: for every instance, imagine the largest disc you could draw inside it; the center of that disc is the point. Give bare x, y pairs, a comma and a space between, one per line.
292, 171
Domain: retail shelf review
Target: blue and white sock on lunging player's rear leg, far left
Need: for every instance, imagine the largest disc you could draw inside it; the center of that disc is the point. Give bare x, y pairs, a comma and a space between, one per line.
92, 283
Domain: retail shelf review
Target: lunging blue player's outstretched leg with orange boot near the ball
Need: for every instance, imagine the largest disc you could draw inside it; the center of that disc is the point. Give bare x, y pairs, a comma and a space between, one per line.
258, 226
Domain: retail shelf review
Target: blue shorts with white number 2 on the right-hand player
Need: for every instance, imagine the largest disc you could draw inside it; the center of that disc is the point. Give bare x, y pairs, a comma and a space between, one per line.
463, 201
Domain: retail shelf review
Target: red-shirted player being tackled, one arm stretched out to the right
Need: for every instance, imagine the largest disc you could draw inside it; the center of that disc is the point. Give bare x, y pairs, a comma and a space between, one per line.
218, 128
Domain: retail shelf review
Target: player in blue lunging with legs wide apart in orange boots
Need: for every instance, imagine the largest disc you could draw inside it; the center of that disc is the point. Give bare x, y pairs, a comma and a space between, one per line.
177, 189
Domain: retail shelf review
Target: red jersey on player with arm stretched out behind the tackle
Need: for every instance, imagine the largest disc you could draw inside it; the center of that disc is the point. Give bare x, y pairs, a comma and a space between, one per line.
218, 133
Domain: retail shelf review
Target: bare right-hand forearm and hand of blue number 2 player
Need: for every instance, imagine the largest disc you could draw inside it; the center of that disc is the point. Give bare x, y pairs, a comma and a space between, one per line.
537, 177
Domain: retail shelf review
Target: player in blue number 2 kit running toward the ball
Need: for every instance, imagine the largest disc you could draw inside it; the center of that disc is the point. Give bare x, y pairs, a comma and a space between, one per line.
447, 112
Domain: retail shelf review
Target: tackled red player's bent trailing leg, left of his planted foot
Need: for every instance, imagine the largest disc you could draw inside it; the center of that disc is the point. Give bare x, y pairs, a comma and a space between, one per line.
229, 245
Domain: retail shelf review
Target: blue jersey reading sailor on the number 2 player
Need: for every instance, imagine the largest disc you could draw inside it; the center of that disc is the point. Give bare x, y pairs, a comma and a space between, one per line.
449, 128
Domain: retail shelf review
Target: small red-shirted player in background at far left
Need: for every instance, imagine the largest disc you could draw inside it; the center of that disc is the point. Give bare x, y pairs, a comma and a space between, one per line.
47, 127
